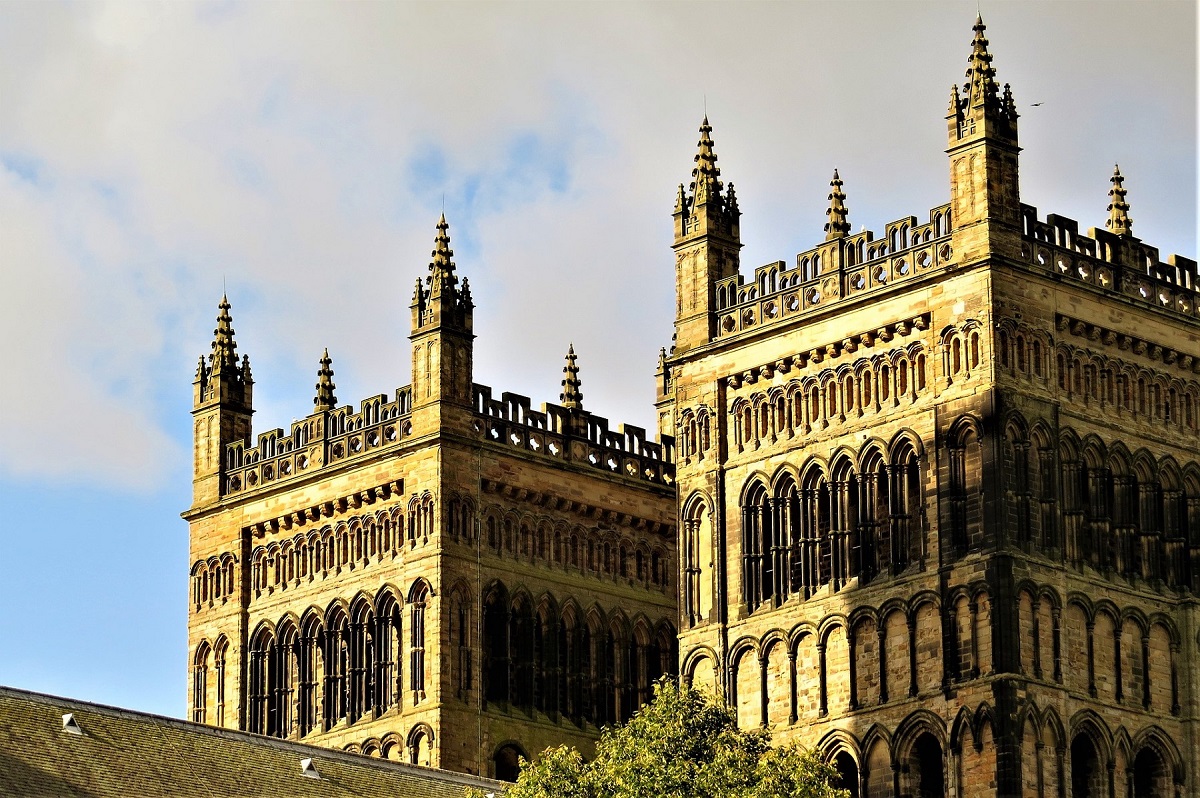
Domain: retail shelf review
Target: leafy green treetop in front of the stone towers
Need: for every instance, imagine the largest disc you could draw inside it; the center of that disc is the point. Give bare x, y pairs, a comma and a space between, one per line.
681, 746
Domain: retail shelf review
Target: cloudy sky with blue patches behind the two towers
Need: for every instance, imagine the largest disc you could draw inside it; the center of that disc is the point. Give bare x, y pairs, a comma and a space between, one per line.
299, 155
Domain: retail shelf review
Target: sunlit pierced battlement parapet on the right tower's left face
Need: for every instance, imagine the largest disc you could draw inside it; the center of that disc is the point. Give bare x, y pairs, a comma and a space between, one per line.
843, 269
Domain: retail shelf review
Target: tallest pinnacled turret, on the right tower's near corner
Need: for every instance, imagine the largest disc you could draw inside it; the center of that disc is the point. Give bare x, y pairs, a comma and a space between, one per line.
986, 202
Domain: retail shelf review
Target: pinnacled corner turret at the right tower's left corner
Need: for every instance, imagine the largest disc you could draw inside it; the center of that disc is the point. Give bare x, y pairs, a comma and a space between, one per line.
707, 244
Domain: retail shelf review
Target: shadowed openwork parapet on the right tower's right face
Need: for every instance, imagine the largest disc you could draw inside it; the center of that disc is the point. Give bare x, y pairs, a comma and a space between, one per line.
1121, 265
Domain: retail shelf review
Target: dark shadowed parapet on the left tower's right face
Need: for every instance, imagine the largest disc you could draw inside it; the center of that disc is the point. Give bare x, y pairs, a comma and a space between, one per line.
574, 436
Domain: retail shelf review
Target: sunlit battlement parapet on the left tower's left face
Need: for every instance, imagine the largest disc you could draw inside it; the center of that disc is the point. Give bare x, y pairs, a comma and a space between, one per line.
321, 440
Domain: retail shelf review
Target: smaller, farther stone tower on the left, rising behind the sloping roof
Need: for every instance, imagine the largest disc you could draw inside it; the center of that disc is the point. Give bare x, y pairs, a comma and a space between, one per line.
441, 577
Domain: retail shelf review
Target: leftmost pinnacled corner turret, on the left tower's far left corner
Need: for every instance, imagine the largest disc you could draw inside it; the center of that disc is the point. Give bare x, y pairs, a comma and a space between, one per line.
223, 405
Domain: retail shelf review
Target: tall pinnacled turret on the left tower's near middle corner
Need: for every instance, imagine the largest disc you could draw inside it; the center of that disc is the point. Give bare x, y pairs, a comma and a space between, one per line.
442, 335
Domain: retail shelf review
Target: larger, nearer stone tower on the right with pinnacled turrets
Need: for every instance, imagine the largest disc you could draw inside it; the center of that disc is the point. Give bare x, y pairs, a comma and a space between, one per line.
940, 490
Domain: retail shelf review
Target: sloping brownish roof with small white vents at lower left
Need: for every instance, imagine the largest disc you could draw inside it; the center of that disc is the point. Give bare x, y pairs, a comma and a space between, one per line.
124, 753
